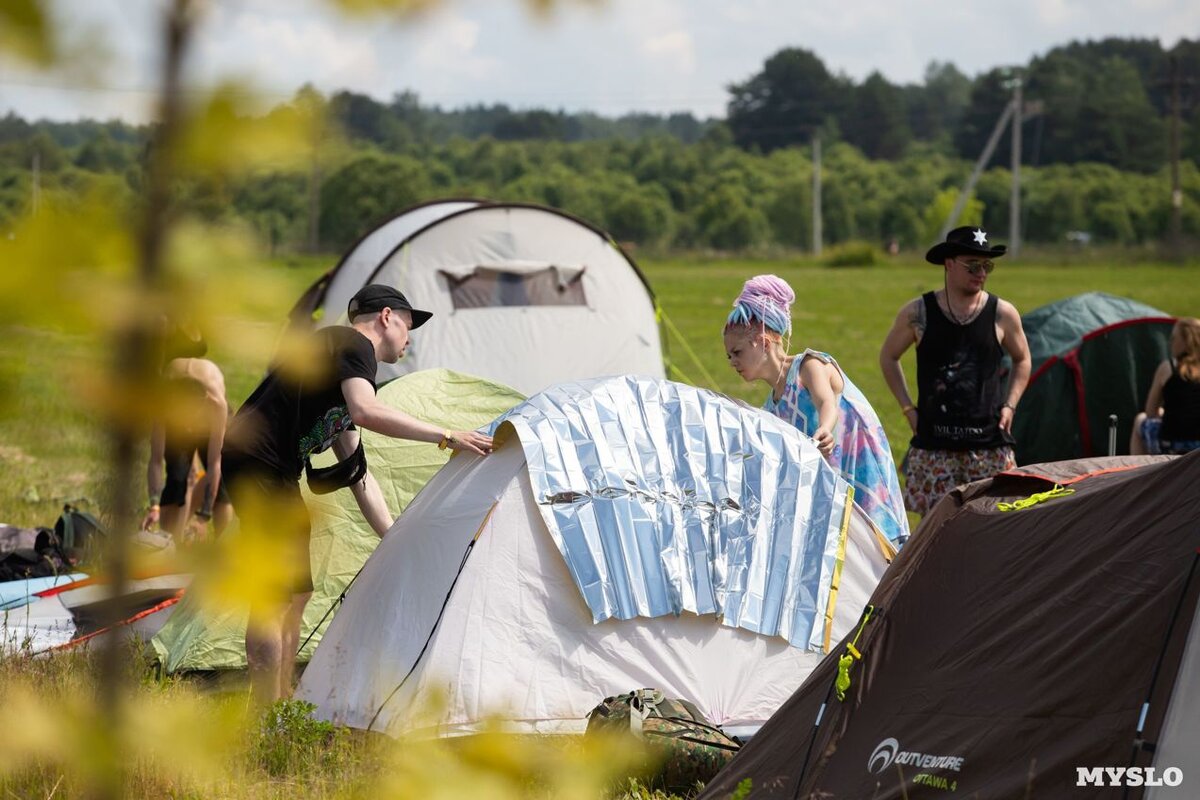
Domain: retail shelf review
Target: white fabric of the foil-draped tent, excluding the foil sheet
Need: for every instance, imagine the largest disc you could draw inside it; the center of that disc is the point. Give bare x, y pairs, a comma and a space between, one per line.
469, 607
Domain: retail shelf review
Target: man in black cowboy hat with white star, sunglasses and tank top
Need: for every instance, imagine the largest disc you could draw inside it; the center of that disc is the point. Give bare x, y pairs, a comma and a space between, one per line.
963, 419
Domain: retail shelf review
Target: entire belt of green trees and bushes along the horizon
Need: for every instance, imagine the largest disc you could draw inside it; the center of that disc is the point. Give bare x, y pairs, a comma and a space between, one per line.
893, 158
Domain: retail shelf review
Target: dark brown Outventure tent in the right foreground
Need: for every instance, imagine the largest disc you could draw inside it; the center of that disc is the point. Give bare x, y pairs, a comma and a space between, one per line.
1013, 654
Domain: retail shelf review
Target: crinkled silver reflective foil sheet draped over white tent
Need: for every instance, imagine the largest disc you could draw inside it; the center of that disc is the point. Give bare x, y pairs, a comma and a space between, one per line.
665, 498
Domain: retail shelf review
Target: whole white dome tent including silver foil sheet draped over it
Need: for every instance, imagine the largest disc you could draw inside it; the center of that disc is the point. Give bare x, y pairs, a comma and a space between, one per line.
627, 533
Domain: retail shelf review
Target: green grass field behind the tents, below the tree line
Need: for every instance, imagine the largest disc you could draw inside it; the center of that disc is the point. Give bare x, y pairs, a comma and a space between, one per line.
52, 450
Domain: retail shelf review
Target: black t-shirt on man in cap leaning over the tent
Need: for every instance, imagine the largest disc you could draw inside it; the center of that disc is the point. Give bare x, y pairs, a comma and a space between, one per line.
287, 419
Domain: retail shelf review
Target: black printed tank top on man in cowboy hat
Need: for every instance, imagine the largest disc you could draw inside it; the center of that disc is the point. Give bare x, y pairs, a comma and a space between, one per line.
959, 382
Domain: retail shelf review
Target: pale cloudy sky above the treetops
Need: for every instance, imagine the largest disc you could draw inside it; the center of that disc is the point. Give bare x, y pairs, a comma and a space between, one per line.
611, 58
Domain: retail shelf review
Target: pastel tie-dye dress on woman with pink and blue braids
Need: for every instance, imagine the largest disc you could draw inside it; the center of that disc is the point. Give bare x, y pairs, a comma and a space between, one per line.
861, 447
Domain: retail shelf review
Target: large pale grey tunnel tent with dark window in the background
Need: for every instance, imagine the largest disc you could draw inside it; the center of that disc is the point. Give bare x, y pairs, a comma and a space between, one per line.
521, 294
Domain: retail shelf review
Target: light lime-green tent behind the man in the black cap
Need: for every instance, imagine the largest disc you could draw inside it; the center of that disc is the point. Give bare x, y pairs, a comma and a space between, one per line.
341, 539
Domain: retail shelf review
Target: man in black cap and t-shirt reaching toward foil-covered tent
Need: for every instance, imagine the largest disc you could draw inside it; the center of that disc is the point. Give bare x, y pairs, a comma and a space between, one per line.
298, 411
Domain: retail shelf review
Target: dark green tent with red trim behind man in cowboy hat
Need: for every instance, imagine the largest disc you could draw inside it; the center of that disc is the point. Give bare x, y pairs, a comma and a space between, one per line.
1094, 357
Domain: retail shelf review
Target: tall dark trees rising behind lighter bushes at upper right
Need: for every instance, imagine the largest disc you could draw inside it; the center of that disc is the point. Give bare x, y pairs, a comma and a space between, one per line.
1103, 103
